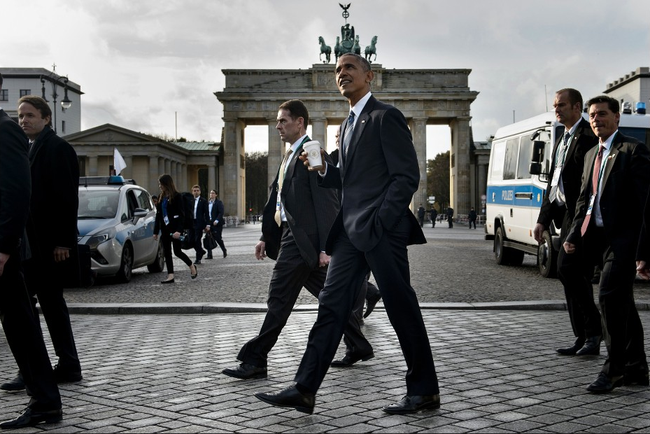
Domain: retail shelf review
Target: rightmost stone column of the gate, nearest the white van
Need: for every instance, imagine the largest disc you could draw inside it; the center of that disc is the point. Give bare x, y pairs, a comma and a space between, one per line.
459, 161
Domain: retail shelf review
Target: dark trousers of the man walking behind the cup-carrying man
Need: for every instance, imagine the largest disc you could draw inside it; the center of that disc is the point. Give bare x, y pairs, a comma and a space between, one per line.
290, 275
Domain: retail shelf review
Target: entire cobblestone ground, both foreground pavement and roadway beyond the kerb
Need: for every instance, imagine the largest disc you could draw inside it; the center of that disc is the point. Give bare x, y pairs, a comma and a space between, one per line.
498, 369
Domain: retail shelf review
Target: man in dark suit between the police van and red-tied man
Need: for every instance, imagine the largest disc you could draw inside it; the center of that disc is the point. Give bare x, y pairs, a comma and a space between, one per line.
558, 206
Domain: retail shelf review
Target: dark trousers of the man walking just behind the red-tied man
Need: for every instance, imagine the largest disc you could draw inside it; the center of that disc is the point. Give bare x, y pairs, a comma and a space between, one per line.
575, 272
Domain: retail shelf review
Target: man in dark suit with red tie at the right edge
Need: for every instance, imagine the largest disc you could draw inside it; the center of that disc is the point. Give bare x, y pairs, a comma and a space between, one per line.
608, 220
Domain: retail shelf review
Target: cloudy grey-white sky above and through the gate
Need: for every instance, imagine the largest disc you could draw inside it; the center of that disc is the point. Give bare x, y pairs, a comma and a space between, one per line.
141, 61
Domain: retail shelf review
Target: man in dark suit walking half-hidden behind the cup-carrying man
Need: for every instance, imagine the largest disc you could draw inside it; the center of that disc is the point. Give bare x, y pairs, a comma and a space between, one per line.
296, 220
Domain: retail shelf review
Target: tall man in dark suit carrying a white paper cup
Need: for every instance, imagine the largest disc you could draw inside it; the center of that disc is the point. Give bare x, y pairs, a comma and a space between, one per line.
378, 173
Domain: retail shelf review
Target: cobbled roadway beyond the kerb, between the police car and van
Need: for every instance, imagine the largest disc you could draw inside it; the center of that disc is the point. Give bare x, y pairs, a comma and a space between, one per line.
455, 266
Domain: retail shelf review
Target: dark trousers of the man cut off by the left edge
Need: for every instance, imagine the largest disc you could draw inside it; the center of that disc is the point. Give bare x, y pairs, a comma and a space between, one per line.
24, 336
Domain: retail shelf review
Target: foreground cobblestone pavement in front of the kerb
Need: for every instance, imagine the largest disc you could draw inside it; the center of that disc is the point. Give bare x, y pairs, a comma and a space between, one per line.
498, 372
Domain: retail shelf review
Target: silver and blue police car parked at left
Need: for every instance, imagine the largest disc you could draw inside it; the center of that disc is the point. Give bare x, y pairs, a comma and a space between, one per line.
116, 219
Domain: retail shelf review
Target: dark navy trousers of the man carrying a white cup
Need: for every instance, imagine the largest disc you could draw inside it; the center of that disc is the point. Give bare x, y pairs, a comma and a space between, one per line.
349, 266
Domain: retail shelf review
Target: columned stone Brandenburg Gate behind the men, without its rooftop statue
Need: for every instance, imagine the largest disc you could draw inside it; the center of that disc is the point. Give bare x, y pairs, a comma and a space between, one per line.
425, 96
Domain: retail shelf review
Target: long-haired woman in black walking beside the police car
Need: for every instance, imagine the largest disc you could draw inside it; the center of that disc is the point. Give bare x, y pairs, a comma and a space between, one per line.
169, 220
